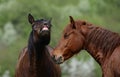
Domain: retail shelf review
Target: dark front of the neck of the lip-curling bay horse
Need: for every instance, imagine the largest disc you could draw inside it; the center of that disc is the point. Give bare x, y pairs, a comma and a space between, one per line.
38, 55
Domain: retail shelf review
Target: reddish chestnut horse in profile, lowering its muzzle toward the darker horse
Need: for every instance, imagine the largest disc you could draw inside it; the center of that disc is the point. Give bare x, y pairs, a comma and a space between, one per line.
103, 45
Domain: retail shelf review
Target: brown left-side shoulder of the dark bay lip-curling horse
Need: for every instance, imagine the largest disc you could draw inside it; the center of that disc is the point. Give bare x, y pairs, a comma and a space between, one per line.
23, 64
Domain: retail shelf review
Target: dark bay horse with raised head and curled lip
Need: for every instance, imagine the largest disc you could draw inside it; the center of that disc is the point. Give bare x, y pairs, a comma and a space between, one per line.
35, 59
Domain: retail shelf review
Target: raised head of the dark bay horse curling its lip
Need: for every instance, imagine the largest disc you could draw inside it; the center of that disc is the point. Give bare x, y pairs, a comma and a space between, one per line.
41, 29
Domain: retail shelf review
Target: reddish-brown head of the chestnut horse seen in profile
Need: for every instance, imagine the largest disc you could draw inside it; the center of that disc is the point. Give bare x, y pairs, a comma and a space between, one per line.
71, 42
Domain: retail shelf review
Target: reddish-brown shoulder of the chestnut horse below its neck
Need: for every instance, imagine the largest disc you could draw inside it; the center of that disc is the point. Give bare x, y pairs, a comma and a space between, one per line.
111, 67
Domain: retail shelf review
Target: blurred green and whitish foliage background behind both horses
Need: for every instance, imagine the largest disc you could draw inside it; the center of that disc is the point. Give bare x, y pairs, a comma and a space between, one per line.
15, 29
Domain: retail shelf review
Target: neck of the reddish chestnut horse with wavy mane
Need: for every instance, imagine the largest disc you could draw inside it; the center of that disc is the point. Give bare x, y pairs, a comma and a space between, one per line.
100, 43
